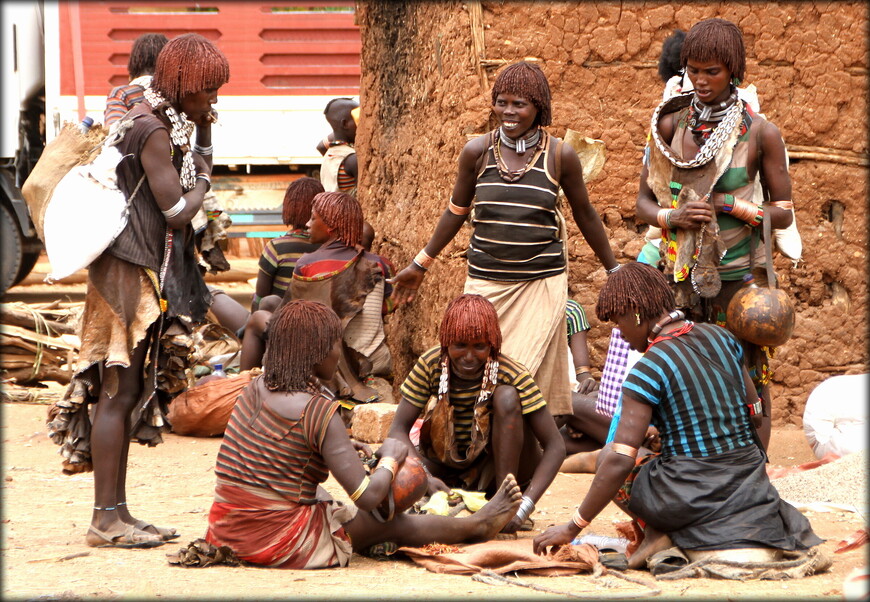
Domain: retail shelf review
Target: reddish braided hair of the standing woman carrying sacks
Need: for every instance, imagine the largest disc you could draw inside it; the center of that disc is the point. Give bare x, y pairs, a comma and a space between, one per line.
189, 64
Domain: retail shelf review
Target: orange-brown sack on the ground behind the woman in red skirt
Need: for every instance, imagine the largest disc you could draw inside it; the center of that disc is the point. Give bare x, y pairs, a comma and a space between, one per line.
204, 410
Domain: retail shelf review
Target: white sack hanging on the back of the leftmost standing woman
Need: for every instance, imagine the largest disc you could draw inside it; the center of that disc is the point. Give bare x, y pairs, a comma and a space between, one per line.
86, 212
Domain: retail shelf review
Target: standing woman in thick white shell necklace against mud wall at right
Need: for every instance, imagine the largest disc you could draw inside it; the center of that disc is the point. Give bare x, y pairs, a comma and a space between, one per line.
702, 184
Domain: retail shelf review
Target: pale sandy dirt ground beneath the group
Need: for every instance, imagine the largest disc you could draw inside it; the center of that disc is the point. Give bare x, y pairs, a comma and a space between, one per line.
45, 516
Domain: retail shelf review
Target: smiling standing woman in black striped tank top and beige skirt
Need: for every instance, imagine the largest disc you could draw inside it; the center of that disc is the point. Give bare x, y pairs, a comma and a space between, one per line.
517, 257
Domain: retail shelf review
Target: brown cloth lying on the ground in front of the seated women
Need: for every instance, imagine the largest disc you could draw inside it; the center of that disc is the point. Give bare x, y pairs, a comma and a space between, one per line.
506, 556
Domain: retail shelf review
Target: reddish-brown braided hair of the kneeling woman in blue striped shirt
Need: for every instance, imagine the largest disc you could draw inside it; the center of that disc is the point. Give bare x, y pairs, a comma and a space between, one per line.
635, 288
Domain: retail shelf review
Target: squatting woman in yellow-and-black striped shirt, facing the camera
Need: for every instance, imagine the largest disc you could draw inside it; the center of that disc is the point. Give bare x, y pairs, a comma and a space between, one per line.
483, 415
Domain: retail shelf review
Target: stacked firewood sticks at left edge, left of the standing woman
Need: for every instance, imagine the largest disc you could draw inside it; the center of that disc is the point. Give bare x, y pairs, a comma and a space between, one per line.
38, 341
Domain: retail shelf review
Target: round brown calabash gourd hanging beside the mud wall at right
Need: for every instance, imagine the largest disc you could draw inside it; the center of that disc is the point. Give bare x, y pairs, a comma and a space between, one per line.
761, 315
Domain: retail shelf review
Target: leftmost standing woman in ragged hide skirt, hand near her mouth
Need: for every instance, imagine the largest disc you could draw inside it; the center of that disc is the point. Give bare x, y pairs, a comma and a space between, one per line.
145, 282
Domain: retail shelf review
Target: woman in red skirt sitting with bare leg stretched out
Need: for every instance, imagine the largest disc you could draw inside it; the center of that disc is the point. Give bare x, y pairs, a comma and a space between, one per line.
285, 437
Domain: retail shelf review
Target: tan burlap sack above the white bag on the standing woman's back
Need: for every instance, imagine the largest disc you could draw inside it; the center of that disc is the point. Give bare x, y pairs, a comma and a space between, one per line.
69, 149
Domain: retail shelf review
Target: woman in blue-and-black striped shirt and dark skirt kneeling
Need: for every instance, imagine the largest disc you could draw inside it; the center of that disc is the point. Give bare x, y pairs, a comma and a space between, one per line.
708, 490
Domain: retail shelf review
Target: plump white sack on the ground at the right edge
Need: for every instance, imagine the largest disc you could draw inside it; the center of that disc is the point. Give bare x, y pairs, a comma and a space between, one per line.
835, 417
